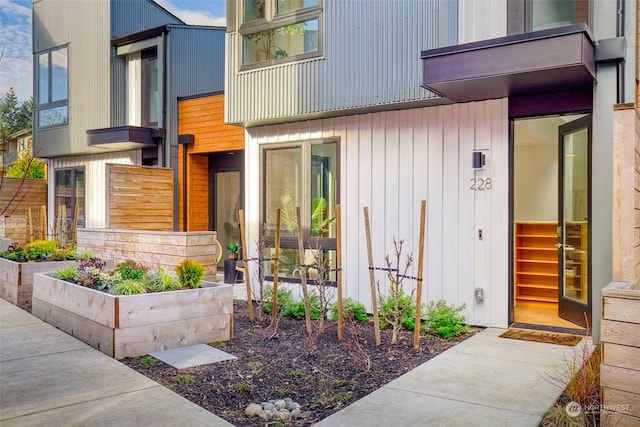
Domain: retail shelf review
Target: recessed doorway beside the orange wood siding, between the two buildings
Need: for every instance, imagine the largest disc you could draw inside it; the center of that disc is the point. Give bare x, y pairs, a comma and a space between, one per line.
226, 184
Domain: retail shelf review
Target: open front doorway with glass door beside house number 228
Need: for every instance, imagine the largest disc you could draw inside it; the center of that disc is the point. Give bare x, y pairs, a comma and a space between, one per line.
551, 218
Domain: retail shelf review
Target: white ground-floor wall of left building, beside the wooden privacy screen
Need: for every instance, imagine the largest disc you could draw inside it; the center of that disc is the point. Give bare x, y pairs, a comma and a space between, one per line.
95, 182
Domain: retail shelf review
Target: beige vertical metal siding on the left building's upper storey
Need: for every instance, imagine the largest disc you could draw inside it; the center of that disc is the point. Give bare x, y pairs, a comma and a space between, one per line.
81, 26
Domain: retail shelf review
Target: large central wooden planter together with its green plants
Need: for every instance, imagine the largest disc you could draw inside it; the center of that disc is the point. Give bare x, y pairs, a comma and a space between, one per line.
133, 309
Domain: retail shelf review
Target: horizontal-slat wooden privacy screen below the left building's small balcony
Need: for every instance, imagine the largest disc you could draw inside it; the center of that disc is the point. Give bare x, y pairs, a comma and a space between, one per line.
139, 198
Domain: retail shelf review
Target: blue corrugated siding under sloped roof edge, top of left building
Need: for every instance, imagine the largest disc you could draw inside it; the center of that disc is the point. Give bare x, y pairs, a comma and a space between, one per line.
129, 17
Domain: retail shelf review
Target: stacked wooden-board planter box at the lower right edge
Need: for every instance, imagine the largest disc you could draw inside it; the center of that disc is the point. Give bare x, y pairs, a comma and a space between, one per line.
620, 369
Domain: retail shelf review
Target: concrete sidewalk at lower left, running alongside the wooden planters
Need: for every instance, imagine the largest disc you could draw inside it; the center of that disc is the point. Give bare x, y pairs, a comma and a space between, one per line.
48, 378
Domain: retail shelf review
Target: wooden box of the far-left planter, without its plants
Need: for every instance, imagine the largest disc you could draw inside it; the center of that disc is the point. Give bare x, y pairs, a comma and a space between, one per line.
16, 278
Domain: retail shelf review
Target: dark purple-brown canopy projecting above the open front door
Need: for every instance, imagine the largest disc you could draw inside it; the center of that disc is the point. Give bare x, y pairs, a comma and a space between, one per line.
542, 61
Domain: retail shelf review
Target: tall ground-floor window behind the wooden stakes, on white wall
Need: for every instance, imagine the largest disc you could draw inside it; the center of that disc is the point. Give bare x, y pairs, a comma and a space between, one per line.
302, 176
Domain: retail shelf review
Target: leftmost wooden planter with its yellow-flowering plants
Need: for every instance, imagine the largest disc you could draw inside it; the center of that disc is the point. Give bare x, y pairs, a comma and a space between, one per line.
18, 264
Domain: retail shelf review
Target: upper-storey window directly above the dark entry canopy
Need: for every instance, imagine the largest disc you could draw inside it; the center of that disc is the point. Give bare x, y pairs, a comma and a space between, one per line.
534, 15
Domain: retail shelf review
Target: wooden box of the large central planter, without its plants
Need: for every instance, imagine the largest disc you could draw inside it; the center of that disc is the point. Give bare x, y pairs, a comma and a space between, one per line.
135, 325
